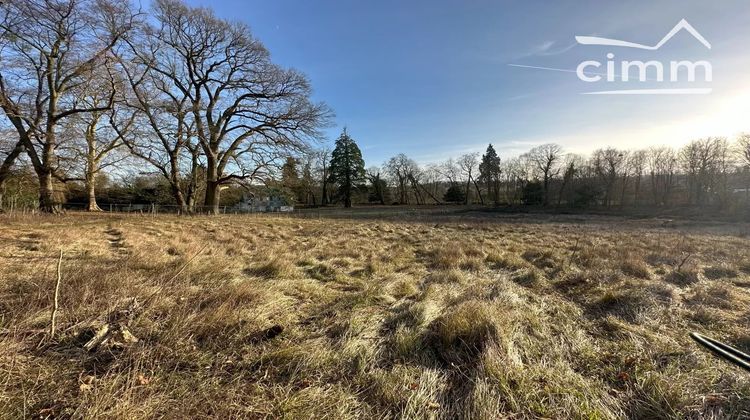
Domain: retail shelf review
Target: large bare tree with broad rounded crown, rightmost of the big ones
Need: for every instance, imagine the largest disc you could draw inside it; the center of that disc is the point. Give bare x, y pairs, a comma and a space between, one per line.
244, 108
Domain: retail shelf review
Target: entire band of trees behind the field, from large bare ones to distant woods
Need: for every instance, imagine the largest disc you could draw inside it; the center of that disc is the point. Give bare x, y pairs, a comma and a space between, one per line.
102, 101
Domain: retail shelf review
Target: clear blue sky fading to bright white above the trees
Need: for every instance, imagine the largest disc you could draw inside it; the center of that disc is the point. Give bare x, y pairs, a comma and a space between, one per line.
436, 79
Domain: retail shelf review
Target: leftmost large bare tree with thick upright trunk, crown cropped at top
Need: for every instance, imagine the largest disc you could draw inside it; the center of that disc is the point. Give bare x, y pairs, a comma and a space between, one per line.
48, 49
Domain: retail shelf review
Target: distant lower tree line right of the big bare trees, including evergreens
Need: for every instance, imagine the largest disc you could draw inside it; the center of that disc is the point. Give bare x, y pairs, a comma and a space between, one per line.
708, 172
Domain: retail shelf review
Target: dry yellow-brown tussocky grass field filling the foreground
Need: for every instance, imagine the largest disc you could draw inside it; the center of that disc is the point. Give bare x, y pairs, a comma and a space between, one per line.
475, 317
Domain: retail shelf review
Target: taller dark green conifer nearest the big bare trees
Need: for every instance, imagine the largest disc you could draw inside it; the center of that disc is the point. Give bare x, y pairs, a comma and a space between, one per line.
347, 169
